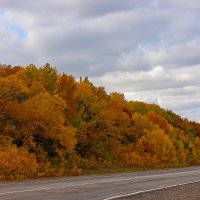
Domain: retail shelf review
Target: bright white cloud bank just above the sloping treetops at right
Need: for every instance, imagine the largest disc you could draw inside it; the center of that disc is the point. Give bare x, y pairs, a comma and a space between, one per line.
177, 89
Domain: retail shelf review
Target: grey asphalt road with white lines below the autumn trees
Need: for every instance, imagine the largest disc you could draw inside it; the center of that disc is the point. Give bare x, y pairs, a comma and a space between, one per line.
96, 187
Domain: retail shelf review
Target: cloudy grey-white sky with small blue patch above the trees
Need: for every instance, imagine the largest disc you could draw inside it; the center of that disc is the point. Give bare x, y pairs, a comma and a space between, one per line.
147, 49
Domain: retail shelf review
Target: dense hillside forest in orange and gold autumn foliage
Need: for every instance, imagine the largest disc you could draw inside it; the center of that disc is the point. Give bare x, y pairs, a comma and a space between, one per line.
53, 125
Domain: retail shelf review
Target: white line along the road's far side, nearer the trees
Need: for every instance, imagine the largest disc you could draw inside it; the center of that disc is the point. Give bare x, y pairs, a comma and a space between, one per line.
99, 182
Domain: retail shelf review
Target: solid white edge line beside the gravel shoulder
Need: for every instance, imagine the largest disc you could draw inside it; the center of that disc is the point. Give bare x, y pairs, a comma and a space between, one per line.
150, 190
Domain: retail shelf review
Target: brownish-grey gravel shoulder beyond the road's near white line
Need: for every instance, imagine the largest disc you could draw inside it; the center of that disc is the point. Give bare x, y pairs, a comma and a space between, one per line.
185, 192
